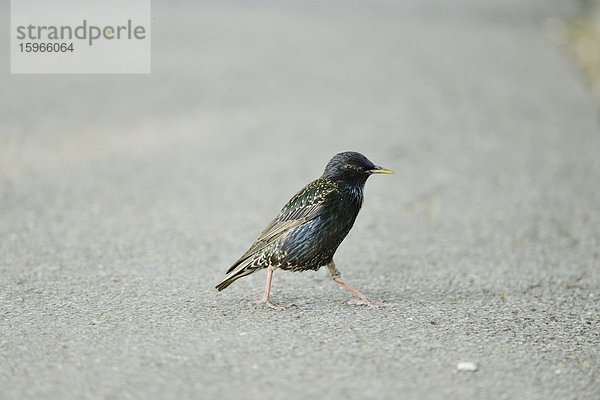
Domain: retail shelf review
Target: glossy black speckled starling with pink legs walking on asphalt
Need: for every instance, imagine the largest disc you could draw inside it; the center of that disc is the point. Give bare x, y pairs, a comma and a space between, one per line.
311, 226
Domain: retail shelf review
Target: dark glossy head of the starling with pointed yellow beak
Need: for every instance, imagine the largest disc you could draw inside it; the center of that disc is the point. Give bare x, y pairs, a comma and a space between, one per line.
352, 167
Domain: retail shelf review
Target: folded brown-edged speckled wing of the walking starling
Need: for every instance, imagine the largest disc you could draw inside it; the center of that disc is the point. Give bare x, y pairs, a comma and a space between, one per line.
303, 207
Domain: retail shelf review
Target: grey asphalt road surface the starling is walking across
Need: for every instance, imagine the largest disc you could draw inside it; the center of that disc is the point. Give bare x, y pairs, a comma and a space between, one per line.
125, 198
